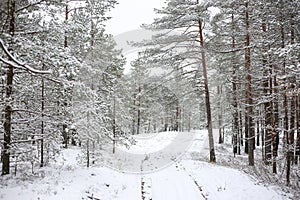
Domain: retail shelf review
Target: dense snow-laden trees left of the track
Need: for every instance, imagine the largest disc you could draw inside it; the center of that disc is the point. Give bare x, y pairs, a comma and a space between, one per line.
59, 74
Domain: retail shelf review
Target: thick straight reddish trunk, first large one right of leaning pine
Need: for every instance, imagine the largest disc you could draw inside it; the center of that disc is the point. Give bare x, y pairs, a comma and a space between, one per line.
249, 114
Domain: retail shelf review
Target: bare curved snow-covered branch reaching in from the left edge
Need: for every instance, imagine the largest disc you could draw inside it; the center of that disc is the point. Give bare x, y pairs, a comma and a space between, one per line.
18, 64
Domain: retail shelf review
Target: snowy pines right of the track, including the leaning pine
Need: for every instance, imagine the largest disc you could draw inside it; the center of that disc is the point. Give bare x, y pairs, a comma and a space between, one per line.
248, 52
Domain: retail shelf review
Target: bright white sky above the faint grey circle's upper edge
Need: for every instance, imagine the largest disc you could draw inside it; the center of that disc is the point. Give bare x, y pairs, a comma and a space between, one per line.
130, 14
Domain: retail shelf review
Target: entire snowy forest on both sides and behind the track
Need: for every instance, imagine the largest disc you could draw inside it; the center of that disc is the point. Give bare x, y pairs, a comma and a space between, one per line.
230, 65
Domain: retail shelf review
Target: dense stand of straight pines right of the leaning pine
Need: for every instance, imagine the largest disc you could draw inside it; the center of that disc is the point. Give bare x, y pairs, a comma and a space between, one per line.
258, 51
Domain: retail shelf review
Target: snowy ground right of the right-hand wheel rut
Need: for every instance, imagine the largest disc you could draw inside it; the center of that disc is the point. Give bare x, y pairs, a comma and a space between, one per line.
225, 183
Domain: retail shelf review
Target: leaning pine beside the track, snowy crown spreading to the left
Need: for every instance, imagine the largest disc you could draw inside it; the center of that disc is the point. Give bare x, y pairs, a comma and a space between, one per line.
188, 18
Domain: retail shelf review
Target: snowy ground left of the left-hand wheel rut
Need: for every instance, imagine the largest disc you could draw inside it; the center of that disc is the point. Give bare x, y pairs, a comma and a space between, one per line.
66, 180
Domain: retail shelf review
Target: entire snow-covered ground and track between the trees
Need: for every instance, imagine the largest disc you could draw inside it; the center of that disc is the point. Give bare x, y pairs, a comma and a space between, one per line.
182, 178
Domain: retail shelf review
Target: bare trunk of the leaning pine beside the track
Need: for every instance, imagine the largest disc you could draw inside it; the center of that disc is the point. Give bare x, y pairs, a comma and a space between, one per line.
212, 156
